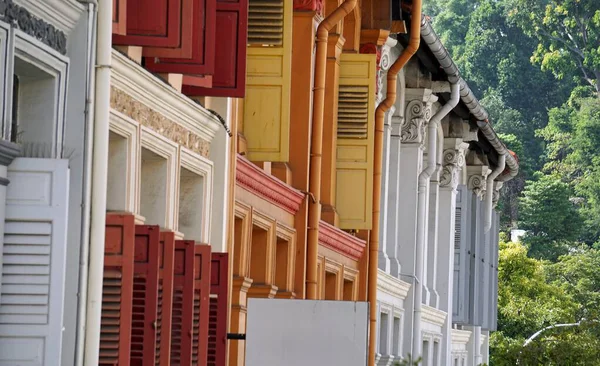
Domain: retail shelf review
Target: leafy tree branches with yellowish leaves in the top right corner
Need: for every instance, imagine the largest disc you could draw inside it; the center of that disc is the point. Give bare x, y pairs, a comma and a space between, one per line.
568, 32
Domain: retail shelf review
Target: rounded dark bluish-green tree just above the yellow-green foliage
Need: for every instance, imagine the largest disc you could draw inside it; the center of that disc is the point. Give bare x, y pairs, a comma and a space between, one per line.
549, 217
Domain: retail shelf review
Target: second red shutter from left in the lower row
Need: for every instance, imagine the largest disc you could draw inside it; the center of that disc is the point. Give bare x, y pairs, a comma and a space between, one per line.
145, 295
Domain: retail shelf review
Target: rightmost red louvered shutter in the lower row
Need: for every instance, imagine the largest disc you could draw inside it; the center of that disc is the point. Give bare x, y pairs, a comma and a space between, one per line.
217, 334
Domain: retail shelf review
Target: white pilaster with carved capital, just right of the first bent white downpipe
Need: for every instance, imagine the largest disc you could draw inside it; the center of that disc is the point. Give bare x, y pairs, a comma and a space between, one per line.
453, 160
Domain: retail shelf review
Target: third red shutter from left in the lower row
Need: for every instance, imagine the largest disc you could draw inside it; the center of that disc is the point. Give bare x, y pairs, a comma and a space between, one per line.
165, 299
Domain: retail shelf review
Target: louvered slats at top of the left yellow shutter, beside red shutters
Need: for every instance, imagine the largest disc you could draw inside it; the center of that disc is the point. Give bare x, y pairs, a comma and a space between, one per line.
265, 22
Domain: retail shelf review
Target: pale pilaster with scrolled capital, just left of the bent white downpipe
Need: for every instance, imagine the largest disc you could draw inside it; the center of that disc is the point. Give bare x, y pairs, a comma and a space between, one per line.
412, 136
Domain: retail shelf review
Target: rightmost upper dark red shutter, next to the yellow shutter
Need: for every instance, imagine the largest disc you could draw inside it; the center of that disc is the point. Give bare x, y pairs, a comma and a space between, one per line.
229, 78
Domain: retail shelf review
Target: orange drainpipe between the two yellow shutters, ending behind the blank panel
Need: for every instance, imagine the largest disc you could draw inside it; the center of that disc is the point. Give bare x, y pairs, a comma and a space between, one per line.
316, 148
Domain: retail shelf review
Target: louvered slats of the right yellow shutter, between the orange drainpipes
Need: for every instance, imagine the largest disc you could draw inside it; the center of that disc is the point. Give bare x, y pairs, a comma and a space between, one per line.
353, 112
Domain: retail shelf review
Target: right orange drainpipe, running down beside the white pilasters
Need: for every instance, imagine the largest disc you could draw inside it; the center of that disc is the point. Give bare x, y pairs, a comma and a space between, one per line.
388, 102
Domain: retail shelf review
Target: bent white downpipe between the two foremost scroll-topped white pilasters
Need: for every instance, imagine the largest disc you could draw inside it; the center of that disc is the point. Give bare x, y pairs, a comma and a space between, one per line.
424, 178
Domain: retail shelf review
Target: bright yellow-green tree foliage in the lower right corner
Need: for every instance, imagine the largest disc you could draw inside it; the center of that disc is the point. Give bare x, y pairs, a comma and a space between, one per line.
534, 294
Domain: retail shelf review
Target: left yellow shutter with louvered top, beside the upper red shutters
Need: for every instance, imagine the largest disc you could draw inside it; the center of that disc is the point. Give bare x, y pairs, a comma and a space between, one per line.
266, 124
